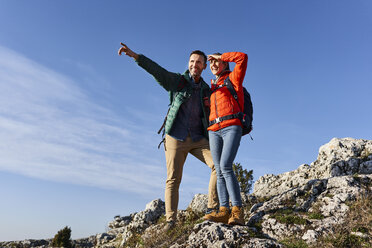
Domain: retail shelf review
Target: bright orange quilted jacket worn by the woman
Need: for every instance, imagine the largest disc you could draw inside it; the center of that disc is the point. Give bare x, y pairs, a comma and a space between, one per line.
222, 102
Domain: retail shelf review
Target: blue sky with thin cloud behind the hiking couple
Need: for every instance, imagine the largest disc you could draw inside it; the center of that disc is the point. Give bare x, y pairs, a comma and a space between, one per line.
78, 142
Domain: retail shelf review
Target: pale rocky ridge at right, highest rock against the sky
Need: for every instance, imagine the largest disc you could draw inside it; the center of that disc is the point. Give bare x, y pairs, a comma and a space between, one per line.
339, 157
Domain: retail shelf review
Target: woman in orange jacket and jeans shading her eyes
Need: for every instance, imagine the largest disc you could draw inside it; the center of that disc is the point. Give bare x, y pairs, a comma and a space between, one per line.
225, 132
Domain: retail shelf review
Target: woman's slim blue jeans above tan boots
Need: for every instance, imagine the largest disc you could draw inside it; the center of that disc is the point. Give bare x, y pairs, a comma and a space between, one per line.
224, 145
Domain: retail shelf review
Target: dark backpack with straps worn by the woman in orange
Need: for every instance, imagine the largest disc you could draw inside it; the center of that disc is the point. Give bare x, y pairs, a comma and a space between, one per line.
246, 117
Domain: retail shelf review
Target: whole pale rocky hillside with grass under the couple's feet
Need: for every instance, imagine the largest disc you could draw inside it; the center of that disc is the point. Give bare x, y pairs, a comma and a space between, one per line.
305, 204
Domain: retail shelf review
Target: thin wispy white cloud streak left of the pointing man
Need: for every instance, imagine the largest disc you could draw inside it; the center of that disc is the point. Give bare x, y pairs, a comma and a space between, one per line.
50, 129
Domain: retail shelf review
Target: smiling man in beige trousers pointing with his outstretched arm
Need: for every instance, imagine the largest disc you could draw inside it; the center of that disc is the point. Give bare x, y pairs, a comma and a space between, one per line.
186, 124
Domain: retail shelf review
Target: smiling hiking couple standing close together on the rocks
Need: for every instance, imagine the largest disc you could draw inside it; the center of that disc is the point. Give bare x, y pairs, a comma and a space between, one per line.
193, 117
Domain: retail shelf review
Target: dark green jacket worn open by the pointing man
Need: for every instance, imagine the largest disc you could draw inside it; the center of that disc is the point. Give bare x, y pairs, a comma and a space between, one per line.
179, 88
